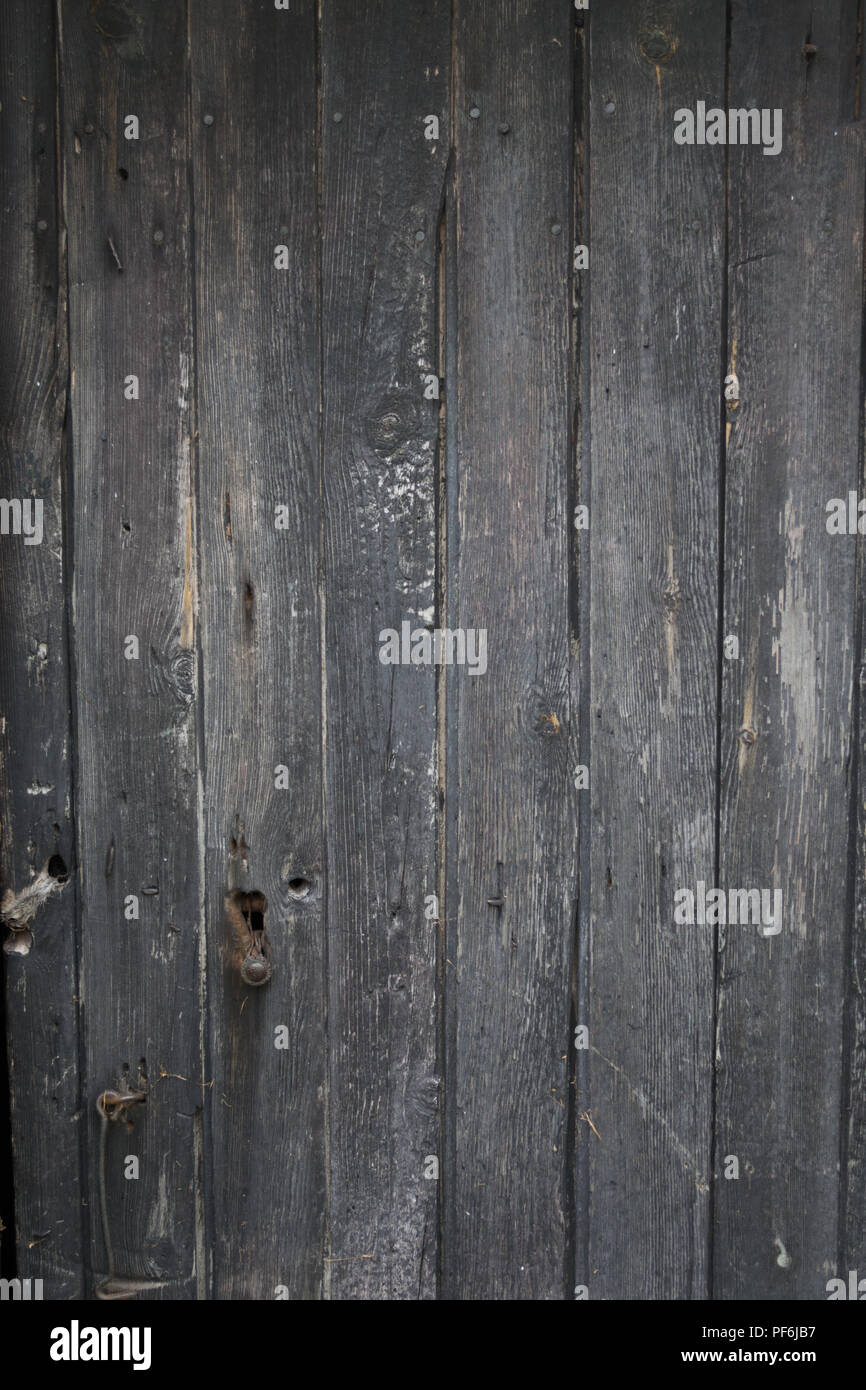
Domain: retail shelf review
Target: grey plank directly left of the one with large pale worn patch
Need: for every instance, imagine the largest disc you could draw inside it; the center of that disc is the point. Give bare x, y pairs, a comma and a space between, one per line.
655, 325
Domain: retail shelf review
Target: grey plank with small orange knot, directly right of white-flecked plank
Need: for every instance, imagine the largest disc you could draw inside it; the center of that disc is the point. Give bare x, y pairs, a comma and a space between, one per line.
515, 746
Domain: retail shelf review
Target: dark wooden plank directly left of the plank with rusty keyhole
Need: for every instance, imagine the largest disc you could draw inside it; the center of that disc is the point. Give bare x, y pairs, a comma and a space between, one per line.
126, 206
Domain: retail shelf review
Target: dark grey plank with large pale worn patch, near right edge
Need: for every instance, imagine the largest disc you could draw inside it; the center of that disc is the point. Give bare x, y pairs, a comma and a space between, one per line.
796, 233
